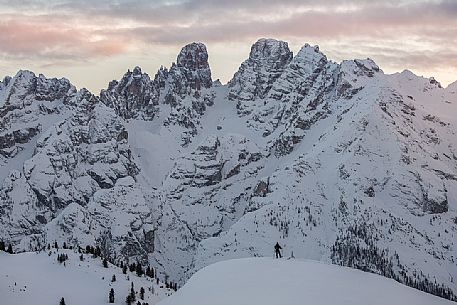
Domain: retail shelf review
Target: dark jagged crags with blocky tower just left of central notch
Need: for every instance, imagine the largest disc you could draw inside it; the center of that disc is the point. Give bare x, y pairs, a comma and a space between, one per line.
185, 88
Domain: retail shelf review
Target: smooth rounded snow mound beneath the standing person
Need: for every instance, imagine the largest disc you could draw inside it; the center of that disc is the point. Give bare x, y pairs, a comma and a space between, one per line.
266, 281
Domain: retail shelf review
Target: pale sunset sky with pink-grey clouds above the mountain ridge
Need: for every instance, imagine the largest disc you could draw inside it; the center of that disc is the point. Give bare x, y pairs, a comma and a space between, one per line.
92, 42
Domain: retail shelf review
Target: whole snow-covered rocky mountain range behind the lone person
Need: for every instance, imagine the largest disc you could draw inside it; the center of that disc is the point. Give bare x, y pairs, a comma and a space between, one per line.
339, 162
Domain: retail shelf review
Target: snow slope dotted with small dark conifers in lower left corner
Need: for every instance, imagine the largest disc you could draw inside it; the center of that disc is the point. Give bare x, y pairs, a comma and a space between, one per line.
36, 278
